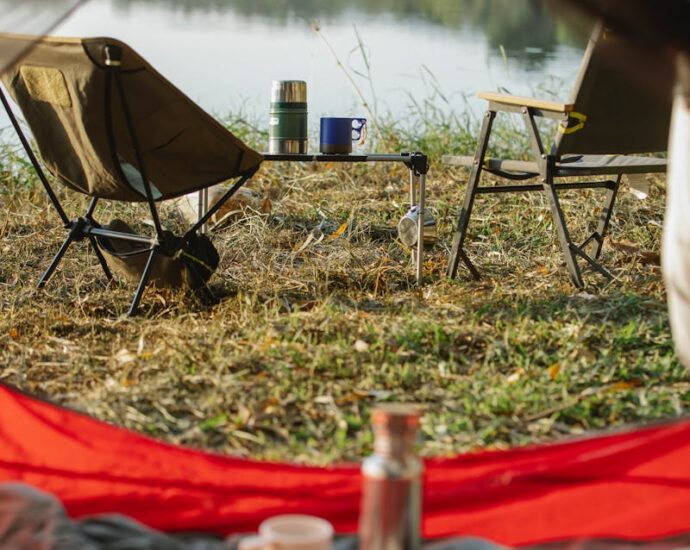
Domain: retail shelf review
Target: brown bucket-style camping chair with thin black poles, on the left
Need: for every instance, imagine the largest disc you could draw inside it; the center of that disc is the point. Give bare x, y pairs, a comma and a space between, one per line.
108, 125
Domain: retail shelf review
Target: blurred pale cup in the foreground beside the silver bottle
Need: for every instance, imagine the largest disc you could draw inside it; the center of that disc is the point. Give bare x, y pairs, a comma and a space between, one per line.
291, 532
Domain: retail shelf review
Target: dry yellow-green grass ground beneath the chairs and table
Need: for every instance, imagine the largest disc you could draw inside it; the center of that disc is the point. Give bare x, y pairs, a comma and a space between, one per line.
309, 337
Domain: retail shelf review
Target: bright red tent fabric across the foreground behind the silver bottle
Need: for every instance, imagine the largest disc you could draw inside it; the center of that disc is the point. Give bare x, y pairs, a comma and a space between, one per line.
631, 485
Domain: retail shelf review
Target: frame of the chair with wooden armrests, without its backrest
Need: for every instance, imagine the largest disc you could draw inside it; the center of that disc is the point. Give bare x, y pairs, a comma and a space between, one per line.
549, 170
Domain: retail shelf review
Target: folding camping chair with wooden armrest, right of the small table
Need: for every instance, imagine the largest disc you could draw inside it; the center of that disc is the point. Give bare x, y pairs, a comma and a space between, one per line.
611, 117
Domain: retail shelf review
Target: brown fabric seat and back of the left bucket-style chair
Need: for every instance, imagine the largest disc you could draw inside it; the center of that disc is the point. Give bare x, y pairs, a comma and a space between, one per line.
71, 103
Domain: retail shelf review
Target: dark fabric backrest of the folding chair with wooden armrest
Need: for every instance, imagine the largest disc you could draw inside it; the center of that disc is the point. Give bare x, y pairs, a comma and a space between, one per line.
622, 98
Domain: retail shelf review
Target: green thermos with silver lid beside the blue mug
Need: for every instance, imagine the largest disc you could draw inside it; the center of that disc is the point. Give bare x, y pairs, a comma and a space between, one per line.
287, 125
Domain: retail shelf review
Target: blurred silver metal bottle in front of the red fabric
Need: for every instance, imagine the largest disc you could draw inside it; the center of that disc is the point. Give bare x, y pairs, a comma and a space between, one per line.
392, 492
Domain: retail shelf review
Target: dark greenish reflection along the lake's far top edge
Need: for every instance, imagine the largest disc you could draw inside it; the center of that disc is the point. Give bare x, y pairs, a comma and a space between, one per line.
523, 30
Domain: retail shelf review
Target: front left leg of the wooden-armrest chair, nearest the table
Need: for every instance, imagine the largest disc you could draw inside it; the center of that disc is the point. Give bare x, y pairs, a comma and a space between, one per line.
457, 252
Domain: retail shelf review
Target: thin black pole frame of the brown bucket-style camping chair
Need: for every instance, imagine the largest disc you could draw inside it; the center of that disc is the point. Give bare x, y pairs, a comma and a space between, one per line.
86, 227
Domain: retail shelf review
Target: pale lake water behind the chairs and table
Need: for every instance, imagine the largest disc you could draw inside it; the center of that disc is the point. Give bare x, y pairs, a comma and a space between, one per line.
225, 53
